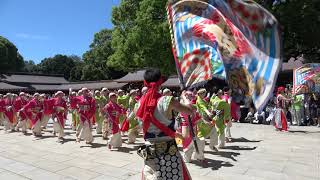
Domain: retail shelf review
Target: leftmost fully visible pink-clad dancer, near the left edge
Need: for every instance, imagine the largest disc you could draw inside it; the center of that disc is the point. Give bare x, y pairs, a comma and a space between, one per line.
9, 112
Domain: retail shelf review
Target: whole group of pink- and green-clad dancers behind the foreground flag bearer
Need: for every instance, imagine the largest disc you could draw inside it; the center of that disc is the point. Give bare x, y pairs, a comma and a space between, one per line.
113, 114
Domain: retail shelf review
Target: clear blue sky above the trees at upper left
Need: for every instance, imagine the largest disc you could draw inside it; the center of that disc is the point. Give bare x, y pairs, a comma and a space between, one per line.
43, 28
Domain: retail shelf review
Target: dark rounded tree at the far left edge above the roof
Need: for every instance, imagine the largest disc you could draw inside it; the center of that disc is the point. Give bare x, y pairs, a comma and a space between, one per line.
10, 59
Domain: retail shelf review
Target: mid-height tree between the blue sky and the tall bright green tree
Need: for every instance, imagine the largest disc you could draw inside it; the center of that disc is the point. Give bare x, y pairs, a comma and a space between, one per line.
95, 60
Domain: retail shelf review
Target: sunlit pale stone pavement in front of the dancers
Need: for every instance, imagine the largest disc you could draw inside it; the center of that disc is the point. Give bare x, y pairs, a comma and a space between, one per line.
257, 152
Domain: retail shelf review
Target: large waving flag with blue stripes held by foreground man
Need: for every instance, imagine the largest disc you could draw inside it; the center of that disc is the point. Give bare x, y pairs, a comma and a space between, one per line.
233, 39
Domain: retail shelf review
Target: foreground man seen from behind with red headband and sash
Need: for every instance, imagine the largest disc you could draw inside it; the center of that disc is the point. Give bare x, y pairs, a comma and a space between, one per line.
161, 156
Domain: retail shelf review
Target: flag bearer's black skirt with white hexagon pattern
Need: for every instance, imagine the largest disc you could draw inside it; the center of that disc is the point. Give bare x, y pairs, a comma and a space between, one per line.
166, 163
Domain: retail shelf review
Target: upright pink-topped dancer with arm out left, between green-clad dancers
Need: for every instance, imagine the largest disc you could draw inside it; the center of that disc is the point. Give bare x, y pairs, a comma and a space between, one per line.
87, 109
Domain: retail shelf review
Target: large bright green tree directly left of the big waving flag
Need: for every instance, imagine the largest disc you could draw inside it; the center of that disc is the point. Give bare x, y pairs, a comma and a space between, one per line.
141, 36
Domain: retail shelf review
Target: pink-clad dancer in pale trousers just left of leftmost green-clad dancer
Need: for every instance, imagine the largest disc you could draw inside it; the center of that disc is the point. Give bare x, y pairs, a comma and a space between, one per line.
59, 114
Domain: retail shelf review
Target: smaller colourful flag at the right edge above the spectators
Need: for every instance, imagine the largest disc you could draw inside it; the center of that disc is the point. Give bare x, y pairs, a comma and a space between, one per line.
306, 79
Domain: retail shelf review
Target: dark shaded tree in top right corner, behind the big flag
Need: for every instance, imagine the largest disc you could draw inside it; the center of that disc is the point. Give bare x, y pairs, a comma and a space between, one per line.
300, 22
